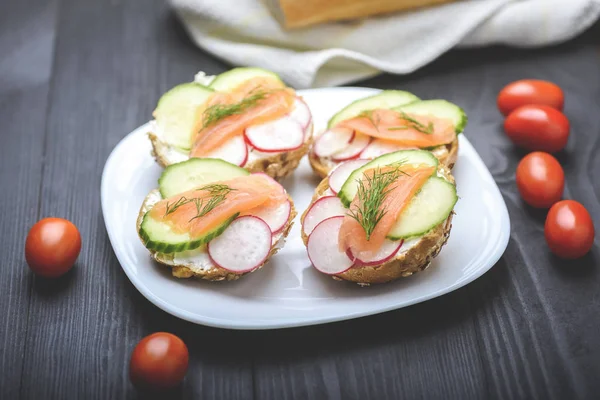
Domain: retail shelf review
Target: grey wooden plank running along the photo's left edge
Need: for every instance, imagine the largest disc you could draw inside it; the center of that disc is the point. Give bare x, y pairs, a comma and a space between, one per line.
26, 45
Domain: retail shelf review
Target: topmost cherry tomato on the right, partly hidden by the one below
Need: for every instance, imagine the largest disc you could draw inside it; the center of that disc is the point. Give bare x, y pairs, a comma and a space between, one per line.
530, 91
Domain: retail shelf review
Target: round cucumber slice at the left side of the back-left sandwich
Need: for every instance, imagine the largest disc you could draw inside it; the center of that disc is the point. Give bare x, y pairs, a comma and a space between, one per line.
177, 113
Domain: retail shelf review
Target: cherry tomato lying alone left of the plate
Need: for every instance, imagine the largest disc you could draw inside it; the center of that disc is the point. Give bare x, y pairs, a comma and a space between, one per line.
52, 246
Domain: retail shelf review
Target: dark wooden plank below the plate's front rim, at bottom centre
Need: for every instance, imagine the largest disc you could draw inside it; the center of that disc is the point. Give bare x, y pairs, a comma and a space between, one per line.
424, 351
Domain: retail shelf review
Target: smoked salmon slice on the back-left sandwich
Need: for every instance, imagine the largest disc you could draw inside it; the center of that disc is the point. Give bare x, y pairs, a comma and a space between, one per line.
253, 103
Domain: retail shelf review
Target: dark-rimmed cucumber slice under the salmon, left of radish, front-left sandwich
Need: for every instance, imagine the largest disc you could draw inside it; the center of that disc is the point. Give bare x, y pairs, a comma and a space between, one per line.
159, 237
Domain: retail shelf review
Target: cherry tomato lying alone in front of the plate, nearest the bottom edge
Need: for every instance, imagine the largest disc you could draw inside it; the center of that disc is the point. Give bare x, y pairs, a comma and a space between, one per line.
159, 361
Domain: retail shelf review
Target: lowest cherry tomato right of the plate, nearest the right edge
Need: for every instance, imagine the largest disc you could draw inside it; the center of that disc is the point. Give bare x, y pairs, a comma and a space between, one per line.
569, 229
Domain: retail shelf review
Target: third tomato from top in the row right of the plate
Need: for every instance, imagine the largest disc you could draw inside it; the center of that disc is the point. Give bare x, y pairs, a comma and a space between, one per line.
540, 179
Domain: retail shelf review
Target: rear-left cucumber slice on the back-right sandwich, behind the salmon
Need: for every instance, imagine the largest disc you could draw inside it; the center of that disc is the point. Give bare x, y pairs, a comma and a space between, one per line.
386, 99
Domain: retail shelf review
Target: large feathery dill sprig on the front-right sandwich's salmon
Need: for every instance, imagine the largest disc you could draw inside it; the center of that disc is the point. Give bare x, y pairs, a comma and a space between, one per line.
372, 191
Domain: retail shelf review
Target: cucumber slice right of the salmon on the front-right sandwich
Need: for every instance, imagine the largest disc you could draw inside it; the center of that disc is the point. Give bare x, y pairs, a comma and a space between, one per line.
429, 208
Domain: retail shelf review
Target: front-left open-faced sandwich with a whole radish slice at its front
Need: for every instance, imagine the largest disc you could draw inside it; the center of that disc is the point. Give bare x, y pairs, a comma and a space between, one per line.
214, 220
